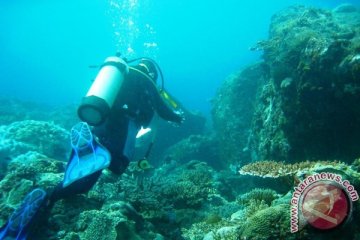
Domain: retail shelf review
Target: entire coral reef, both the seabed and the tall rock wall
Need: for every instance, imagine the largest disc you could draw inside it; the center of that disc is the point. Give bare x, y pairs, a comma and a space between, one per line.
299, 103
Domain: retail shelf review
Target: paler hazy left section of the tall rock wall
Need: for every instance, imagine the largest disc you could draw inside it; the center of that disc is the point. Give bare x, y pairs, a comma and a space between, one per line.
233, 110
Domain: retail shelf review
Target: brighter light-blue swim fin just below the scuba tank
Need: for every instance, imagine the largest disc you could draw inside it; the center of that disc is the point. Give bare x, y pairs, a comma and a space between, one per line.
87, 156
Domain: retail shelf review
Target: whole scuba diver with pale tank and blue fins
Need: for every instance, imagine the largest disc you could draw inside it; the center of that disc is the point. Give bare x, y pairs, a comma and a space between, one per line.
122, 100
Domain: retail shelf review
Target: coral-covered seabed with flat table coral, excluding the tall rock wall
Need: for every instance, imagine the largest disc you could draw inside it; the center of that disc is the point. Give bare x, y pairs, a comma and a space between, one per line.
175, 201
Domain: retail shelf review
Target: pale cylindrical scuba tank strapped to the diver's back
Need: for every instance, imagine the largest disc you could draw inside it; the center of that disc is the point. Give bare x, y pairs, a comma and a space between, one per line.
96, 105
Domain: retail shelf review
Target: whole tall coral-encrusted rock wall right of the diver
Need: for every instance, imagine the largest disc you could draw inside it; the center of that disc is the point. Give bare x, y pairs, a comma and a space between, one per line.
303, 102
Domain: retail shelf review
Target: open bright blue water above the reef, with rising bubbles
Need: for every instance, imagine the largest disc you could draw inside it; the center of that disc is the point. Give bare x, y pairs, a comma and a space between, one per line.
47, 46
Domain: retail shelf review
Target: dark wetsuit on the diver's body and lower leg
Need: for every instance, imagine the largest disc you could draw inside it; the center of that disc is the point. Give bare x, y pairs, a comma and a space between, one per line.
134, 107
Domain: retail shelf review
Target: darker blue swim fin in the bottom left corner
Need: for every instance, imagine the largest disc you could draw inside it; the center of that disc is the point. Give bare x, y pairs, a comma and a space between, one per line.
18, 225
